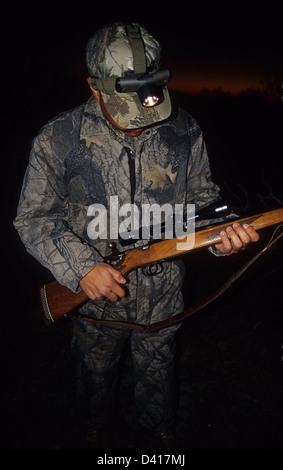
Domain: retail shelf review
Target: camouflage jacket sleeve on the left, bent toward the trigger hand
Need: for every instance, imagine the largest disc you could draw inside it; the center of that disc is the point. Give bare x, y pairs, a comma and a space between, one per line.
42, 217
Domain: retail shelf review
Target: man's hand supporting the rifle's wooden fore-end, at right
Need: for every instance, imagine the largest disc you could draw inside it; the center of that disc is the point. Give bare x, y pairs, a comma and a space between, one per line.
236, 238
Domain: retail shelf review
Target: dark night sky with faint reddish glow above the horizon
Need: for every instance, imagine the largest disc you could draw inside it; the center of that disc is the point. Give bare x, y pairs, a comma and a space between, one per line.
204, 46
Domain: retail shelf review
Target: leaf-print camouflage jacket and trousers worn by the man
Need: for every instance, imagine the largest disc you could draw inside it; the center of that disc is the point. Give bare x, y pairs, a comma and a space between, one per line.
78, 159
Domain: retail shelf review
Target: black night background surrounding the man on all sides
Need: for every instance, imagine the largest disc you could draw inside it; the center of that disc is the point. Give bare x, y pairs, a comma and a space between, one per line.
229, 356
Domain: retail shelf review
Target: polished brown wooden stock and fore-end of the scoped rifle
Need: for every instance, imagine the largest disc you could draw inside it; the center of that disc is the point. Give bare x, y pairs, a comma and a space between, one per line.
58, 301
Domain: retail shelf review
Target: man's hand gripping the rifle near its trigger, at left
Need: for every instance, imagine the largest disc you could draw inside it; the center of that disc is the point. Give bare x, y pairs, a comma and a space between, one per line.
103, 281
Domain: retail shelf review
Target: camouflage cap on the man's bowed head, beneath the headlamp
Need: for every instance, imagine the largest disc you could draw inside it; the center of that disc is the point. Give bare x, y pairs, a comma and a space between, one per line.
109, 54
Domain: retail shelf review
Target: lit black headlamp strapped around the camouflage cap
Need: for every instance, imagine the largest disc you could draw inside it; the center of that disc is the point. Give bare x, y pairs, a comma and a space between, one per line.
149, 87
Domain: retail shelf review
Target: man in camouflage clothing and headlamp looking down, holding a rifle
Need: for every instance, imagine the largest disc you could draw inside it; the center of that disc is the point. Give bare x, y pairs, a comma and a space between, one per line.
114, 145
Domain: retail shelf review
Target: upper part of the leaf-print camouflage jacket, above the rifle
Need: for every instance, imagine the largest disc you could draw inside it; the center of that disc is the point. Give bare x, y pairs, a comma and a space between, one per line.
78, 159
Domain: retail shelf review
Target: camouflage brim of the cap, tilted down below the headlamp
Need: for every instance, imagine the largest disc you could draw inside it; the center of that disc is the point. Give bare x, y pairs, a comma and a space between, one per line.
128, 112
